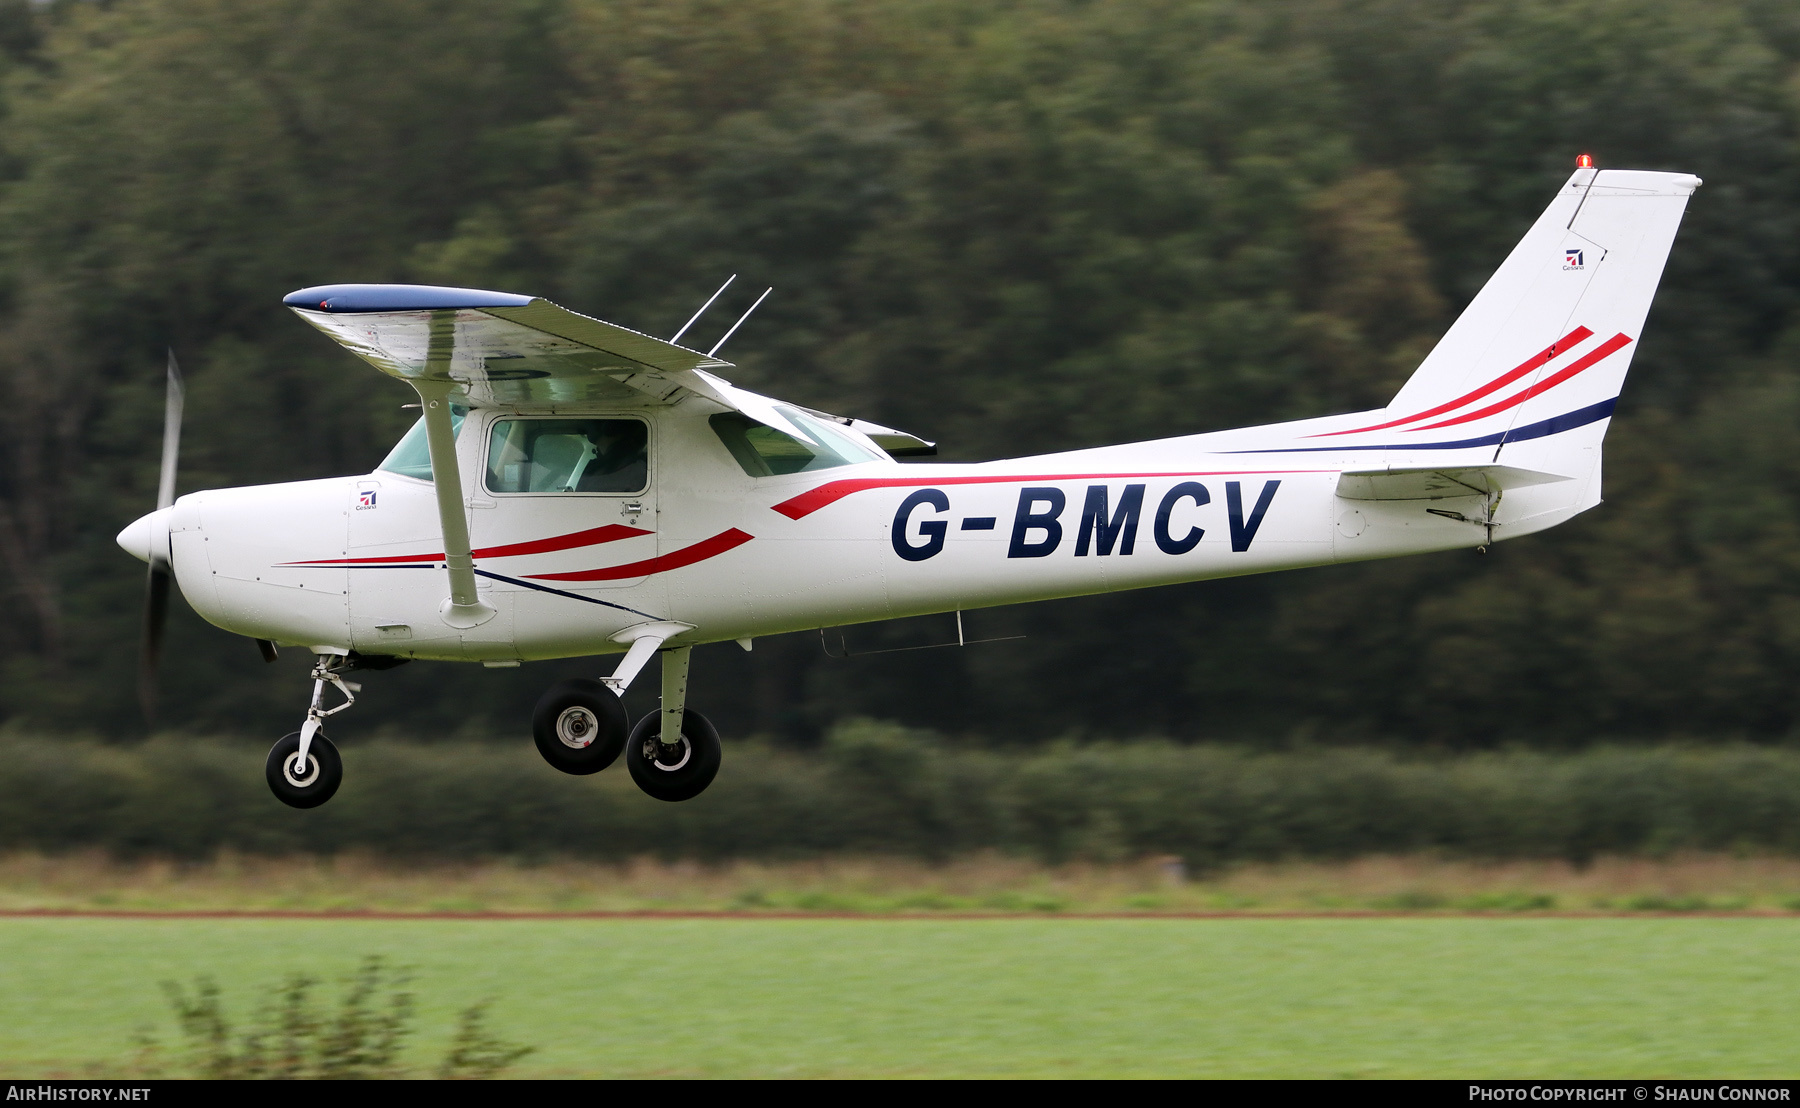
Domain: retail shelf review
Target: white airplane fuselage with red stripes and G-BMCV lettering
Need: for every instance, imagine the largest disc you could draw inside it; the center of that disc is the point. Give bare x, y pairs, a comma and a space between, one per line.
357, 562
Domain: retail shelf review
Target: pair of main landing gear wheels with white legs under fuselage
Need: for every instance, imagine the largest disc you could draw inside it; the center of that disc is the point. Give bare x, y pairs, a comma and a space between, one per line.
580, 726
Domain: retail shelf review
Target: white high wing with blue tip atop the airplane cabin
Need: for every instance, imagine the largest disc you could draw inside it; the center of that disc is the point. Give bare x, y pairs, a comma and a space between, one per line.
528, 355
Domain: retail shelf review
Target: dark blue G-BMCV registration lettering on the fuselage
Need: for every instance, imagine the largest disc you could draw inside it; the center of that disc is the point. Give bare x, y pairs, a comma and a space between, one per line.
1104, 528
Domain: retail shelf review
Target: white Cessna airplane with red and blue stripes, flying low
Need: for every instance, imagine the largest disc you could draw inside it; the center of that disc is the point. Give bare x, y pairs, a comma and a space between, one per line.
577, 488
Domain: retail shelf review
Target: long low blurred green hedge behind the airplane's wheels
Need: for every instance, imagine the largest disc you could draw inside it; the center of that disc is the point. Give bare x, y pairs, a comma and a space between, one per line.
879, 791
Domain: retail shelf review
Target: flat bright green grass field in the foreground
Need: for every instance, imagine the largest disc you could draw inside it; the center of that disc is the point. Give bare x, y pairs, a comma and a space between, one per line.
980, 997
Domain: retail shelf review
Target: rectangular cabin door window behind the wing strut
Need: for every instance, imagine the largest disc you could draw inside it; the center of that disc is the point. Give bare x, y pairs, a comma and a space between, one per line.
570, 456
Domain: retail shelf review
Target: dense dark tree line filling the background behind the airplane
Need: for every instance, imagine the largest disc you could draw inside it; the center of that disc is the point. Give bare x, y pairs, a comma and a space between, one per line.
1009, 228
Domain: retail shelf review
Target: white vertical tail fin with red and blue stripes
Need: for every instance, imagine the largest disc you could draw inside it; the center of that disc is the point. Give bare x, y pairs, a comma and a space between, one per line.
1531, 371
